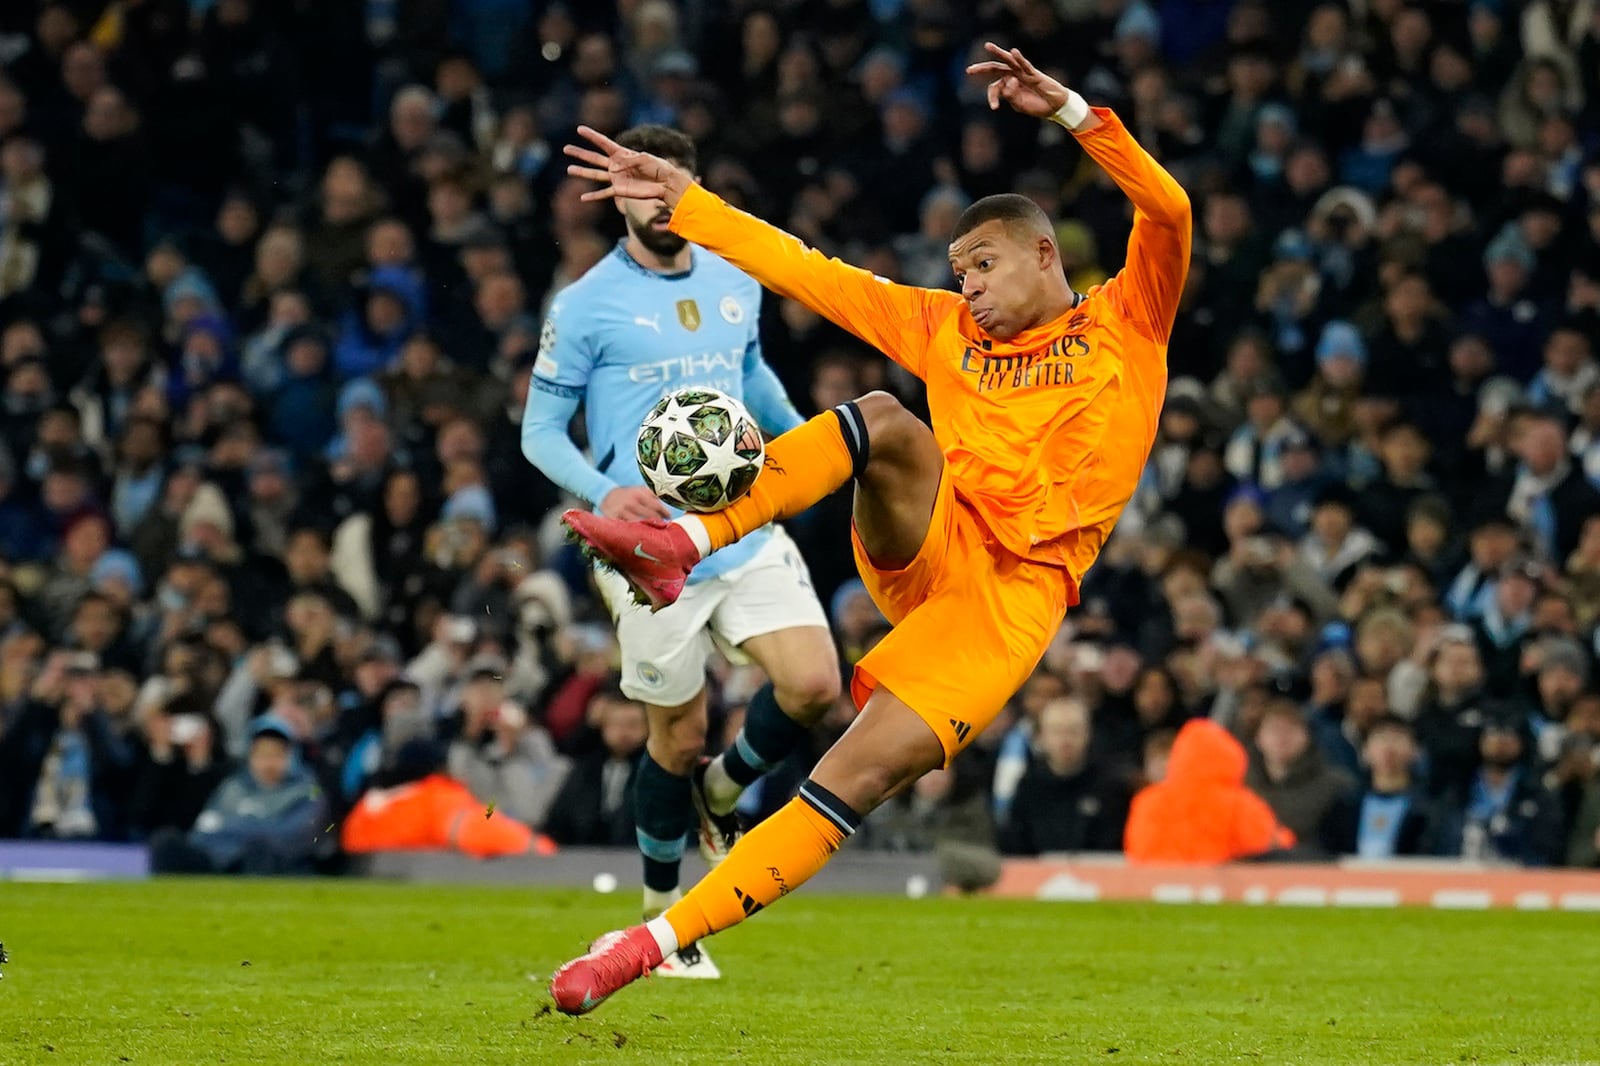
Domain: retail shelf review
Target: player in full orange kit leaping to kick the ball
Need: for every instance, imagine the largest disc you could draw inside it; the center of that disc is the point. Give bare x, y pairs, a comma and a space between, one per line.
972, 539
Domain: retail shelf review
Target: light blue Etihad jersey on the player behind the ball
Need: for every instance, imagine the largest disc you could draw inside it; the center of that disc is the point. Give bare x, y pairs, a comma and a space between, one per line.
618, 340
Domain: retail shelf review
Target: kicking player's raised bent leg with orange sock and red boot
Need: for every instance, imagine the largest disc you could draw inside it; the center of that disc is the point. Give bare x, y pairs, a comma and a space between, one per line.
804, 465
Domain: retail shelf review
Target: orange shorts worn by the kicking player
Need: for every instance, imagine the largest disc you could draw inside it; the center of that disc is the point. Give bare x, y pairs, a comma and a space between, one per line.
972, 622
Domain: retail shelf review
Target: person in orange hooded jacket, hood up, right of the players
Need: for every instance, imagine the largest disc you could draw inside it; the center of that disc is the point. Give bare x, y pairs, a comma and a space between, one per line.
1202, 811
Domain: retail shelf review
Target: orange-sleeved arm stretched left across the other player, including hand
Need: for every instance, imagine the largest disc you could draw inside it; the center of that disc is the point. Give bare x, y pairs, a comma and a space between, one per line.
895, 319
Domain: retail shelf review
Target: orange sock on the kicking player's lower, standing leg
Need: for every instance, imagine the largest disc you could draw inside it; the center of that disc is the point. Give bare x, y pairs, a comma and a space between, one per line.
770, 862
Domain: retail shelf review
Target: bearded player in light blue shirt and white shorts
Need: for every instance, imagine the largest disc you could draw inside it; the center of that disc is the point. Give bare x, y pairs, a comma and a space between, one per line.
654, 318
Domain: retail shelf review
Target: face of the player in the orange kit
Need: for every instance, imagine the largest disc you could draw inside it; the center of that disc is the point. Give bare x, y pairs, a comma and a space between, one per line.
1002, 276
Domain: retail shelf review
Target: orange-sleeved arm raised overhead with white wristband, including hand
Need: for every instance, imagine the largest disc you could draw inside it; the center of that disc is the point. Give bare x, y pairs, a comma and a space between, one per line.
1162, 226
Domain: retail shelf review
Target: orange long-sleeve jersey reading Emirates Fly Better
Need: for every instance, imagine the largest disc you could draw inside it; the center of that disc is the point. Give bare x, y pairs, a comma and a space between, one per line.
1044, 435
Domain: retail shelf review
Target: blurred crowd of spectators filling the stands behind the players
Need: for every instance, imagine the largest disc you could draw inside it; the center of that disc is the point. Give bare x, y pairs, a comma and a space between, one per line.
271, 289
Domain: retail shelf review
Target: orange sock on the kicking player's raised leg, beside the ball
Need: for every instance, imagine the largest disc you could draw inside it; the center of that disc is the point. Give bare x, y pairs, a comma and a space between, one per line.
802, 467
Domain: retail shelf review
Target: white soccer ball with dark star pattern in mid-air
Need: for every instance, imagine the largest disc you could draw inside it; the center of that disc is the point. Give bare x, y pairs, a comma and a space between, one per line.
700, 451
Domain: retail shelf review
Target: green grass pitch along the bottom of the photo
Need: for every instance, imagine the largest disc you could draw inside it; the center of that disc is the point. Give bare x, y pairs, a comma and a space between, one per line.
294, 972
